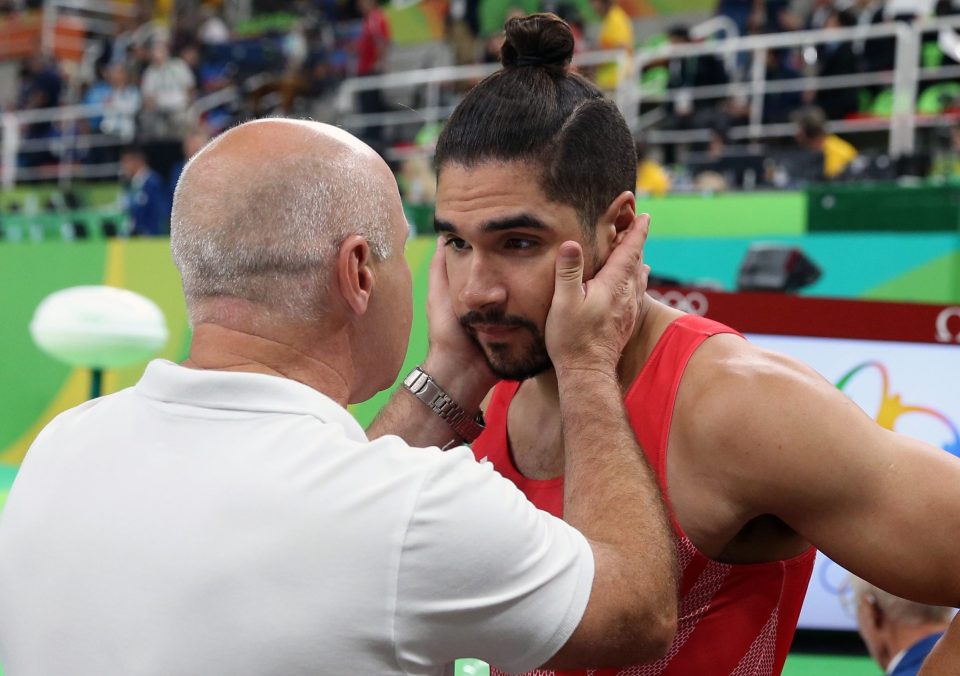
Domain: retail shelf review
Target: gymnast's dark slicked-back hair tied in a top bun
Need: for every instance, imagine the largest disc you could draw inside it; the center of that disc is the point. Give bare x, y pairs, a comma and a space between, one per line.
534, 110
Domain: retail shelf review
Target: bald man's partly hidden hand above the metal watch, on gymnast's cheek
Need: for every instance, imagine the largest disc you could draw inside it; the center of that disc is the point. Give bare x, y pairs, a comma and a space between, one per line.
451, 348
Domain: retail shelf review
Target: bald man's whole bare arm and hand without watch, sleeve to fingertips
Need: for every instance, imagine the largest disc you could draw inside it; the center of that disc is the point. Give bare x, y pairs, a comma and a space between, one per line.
610, 494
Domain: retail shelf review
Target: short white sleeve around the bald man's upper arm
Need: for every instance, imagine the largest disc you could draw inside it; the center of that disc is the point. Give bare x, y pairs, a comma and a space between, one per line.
485, 574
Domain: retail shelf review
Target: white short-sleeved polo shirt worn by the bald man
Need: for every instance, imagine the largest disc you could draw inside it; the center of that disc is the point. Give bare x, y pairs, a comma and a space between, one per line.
207, 522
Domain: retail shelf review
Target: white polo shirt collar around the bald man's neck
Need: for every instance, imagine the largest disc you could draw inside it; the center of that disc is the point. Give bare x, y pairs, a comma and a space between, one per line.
232, 390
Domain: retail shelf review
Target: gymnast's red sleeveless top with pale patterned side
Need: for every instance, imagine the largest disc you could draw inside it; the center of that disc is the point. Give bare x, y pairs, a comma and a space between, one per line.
732, 619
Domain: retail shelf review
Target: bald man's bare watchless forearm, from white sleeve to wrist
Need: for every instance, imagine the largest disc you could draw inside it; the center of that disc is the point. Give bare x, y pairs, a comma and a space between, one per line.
605, 474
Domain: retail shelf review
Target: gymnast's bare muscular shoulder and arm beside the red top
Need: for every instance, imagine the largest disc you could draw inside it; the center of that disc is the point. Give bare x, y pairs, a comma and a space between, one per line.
779, 439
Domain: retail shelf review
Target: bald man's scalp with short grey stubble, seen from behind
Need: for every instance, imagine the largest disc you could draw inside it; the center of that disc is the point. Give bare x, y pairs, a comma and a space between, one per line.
260, 212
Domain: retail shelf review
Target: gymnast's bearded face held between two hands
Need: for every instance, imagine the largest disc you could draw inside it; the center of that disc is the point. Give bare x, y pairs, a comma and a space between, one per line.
501, 236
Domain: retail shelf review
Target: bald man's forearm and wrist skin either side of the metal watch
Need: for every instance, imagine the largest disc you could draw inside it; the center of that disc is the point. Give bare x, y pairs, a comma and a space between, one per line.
413, 421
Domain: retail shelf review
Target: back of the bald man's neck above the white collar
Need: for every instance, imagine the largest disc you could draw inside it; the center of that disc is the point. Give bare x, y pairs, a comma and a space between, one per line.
222, 348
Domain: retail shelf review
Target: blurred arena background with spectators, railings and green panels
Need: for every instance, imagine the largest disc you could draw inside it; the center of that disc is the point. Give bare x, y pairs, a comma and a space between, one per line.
800, 160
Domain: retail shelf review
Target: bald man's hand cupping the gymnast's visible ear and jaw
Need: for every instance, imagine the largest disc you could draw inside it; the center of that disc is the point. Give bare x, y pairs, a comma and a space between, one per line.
589, 324
